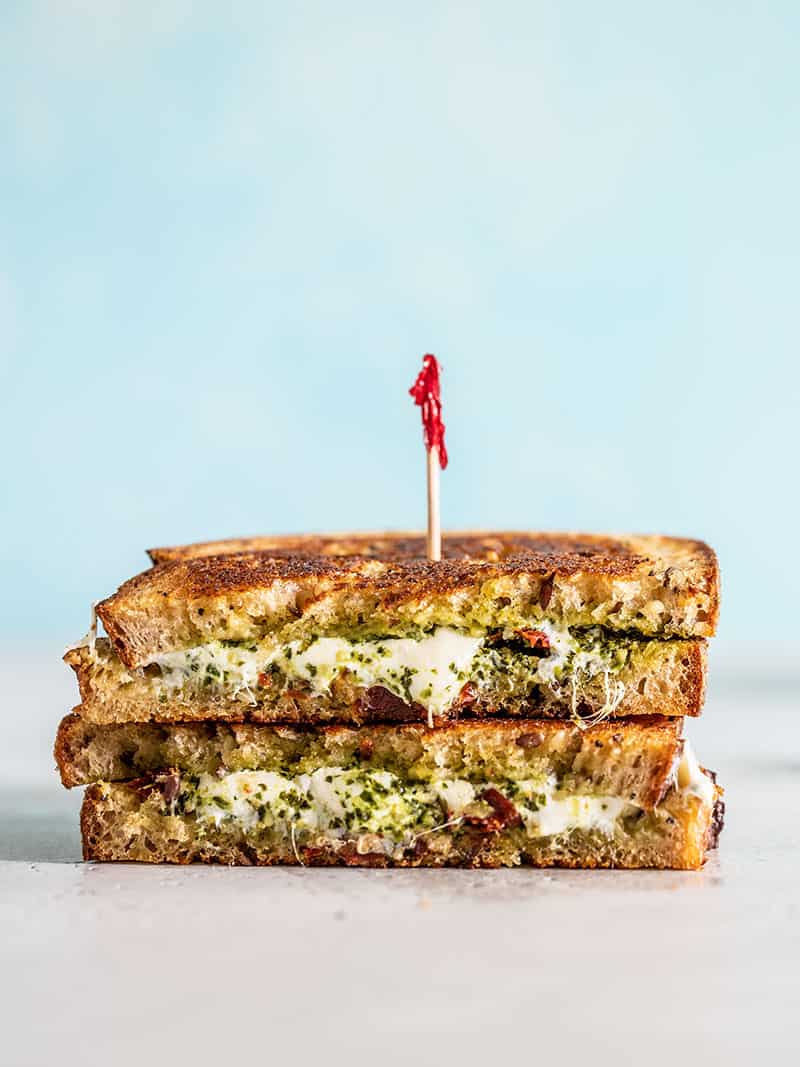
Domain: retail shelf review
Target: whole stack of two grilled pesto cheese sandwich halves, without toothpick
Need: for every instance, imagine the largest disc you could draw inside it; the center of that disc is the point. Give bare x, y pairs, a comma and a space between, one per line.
330, 700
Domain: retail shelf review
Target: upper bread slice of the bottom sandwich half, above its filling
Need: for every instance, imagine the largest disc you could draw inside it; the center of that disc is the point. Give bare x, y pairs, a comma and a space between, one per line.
633, 759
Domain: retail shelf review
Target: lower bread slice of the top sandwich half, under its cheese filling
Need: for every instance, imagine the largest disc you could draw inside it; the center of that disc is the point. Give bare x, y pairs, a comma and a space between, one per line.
665, 678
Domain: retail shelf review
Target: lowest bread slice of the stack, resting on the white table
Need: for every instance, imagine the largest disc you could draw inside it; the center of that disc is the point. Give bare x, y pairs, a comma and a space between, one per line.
119, 824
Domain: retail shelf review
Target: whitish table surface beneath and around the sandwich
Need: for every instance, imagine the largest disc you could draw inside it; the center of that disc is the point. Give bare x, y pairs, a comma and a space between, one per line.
132, 965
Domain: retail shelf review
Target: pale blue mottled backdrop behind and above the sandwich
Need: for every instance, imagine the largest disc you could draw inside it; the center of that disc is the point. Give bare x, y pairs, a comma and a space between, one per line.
227, 238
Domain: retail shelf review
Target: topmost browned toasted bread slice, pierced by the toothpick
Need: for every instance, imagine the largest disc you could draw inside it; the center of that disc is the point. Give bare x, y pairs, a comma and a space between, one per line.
303, 587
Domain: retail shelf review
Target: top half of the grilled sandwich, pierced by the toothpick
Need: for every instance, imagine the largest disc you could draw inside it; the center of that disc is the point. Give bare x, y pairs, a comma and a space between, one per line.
366, 628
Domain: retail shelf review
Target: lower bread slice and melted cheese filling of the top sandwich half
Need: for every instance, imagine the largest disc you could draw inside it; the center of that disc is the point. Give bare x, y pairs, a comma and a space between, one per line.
440, 677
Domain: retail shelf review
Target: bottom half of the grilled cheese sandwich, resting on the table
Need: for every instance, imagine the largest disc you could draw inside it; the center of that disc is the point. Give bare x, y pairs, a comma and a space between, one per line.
546, 793
